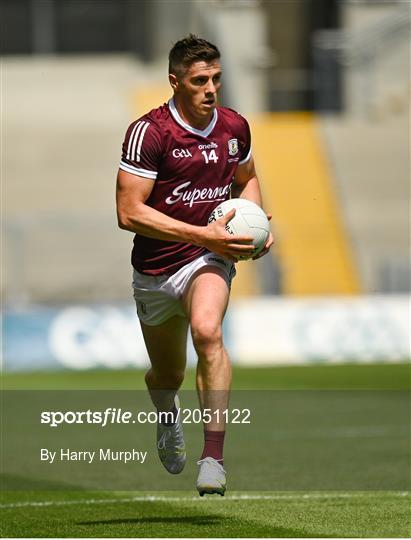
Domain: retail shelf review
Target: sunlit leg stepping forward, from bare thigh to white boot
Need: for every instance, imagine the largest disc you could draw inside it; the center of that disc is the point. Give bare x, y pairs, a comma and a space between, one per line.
206, 300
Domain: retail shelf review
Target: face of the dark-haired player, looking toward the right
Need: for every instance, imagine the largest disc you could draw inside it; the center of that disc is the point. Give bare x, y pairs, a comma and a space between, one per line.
197, 89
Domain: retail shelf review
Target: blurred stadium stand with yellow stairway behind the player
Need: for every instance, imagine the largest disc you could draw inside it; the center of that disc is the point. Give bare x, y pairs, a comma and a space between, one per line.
75, 73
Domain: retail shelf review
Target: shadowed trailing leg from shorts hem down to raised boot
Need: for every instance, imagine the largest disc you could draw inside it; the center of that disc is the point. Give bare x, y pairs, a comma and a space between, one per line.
166, 347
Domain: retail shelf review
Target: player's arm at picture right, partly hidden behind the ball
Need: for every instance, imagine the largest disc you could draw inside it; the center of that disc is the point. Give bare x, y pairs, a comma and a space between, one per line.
247, 186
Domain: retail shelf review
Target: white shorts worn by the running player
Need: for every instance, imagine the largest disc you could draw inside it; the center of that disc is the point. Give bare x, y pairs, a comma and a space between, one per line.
159, 297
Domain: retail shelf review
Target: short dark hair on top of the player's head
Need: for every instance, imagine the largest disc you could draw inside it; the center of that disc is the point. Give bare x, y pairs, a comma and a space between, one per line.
189, 50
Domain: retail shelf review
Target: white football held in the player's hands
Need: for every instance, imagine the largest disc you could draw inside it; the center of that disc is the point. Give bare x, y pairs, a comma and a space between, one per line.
249, 220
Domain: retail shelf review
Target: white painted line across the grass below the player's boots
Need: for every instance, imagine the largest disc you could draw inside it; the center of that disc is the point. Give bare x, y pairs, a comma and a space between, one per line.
160, 498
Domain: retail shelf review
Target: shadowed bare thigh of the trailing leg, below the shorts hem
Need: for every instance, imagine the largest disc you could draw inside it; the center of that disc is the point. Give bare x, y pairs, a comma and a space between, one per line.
166, 346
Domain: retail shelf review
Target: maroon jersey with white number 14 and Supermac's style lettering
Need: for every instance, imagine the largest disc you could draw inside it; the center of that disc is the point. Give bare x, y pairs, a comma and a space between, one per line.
192, 171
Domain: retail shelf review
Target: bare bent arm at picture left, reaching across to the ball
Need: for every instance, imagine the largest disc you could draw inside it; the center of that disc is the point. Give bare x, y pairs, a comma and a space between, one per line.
136, 216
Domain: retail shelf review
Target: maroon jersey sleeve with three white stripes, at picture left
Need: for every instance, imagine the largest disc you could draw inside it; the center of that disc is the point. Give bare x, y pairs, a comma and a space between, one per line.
141, 149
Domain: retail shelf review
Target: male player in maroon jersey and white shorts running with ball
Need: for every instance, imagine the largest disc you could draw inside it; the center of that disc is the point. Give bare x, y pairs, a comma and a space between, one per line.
178, 163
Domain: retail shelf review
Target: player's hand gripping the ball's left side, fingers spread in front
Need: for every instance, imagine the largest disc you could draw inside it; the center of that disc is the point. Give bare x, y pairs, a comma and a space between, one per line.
218, 240
